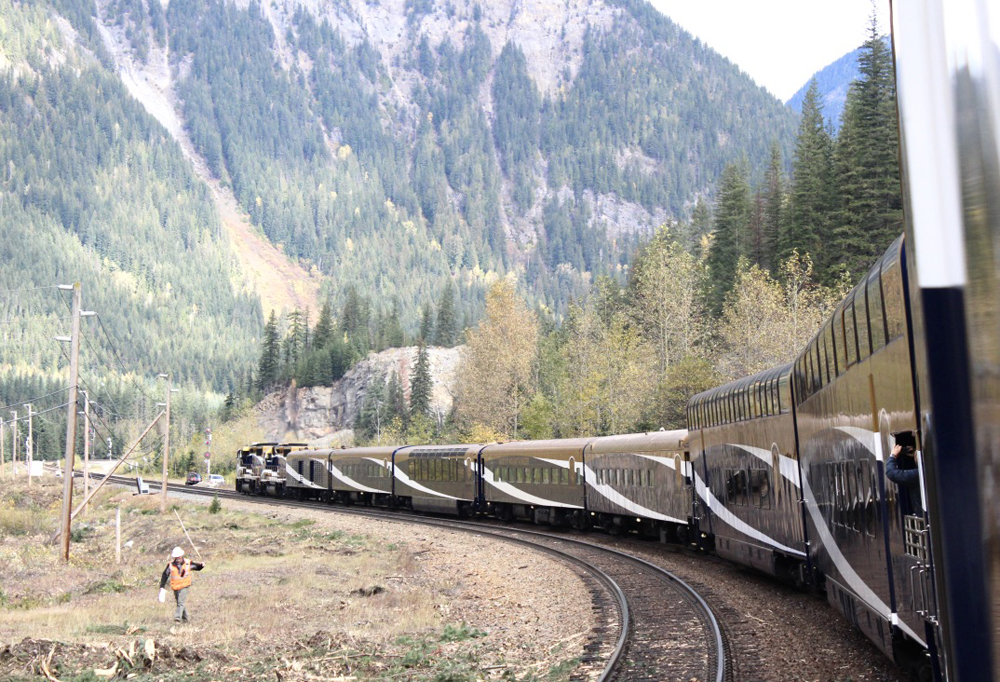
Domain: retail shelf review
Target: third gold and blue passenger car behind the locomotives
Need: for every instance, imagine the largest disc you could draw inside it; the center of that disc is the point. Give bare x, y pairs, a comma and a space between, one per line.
436, 478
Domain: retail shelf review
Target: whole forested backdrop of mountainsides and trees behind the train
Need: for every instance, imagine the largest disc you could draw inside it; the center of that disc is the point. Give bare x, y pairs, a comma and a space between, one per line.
604, 232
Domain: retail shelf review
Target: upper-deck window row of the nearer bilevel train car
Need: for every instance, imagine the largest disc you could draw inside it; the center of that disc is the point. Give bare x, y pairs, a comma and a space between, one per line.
871, 317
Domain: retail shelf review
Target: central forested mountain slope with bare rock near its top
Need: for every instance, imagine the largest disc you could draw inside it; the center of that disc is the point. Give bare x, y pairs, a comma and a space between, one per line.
455, 140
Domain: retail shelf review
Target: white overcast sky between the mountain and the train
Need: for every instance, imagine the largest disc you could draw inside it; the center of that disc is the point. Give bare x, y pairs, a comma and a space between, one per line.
779, 43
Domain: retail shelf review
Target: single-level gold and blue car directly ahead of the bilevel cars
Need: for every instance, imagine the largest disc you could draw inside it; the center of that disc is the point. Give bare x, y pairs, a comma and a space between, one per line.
640, 482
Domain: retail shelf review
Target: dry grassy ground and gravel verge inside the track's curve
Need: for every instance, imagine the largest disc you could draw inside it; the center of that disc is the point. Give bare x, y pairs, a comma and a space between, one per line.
285, 595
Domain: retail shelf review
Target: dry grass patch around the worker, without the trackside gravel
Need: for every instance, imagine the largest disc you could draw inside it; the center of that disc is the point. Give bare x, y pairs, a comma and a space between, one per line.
294, 596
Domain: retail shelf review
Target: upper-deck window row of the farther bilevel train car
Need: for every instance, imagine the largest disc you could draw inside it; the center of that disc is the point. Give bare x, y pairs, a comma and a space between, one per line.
764, 397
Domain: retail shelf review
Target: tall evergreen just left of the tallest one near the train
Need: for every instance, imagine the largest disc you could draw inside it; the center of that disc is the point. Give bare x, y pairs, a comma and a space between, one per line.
807, 227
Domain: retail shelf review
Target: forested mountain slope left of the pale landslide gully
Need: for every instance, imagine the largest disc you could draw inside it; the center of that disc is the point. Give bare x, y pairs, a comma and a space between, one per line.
93, 190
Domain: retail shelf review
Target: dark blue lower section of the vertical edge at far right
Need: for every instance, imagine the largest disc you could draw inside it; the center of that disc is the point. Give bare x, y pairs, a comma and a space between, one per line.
957, 516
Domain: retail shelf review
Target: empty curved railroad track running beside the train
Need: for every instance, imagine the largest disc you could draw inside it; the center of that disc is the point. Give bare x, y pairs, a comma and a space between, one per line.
650, 625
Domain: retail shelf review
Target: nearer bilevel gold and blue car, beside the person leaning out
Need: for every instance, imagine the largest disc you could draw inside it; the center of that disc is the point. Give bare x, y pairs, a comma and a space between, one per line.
854, 387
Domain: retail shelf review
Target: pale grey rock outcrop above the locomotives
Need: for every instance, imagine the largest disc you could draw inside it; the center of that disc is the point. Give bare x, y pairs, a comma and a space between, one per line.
324, 415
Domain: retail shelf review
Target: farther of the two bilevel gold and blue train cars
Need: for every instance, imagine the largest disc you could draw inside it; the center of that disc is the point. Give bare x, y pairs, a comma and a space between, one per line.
745, 470
